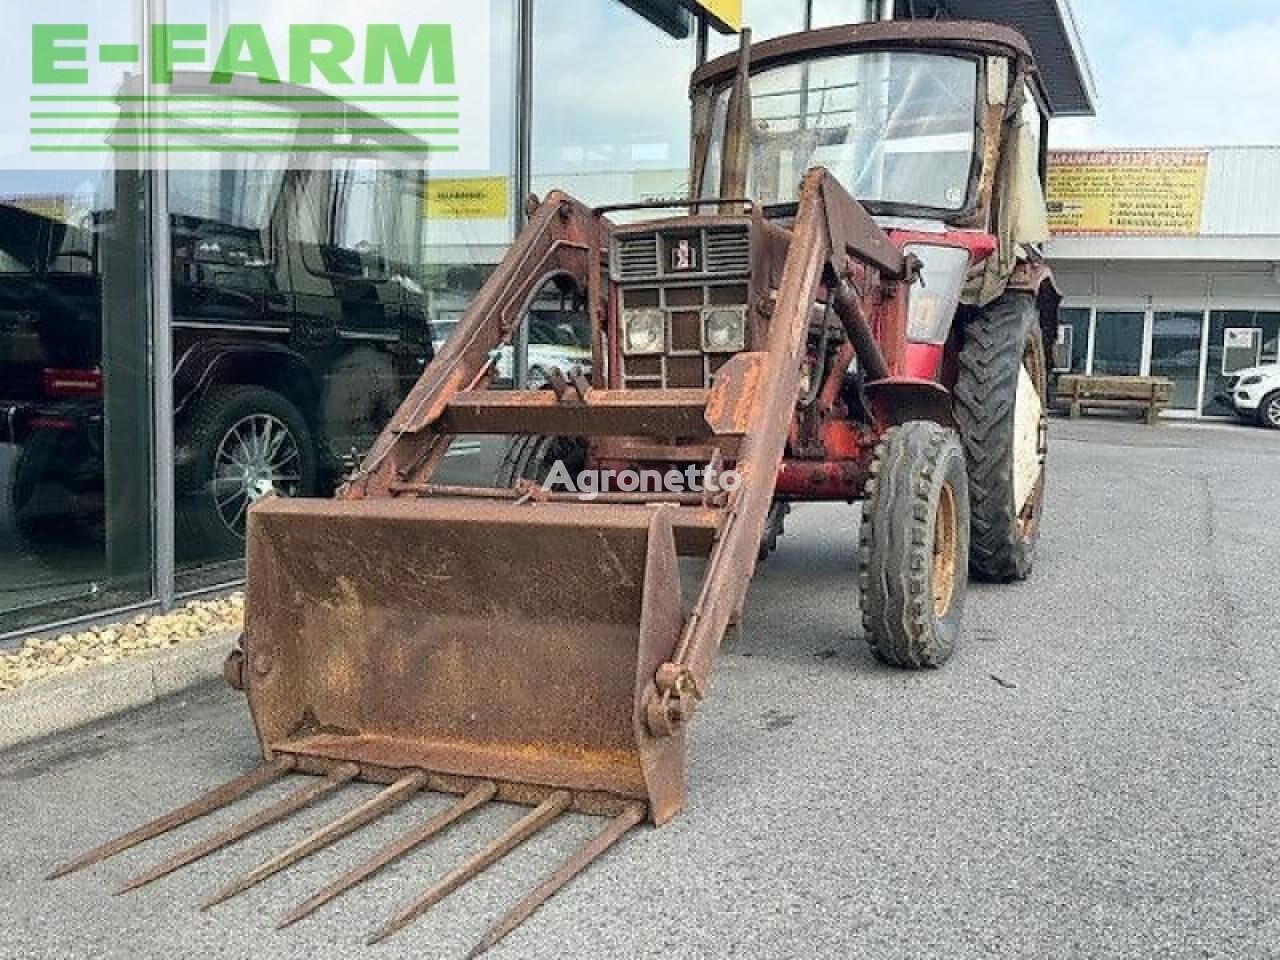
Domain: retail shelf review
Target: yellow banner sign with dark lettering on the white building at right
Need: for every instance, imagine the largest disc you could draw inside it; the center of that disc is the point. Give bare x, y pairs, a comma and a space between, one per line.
1127, 193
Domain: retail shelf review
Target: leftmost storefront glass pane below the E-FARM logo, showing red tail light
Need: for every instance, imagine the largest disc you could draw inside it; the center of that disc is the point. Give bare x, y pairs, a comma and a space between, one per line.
75, 396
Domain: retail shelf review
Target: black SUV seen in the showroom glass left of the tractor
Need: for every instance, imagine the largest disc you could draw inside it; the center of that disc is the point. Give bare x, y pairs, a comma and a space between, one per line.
299, 326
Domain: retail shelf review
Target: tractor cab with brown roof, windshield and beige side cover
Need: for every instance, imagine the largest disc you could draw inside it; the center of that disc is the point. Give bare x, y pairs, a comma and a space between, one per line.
938, 129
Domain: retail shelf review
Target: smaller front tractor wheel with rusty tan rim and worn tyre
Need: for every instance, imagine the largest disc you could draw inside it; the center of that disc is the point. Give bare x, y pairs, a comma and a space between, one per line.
915, 546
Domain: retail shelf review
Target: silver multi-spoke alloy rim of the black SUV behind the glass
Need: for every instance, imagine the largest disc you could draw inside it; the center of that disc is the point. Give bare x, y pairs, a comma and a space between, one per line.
259, 456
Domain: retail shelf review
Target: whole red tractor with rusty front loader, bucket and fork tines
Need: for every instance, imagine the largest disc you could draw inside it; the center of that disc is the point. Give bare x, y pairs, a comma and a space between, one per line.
851, 309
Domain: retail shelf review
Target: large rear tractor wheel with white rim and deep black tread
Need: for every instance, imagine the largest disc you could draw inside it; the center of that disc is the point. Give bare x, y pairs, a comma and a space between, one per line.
1000, 404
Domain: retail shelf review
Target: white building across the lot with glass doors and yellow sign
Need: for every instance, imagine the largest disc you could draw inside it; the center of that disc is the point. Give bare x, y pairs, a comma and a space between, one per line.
1171, 266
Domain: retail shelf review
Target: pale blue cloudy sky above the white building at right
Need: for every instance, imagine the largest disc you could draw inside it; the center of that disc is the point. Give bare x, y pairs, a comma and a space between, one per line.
1180, 74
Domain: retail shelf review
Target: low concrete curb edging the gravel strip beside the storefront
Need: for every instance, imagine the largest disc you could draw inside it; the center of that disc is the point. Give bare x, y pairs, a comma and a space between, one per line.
58, 703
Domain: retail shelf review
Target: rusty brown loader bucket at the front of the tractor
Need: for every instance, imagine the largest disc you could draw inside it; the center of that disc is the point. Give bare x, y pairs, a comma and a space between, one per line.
470, 641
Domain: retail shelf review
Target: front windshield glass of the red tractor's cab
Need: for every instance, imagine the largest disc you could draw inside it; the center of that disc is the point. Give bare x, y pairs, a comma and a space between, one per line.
895, 129
